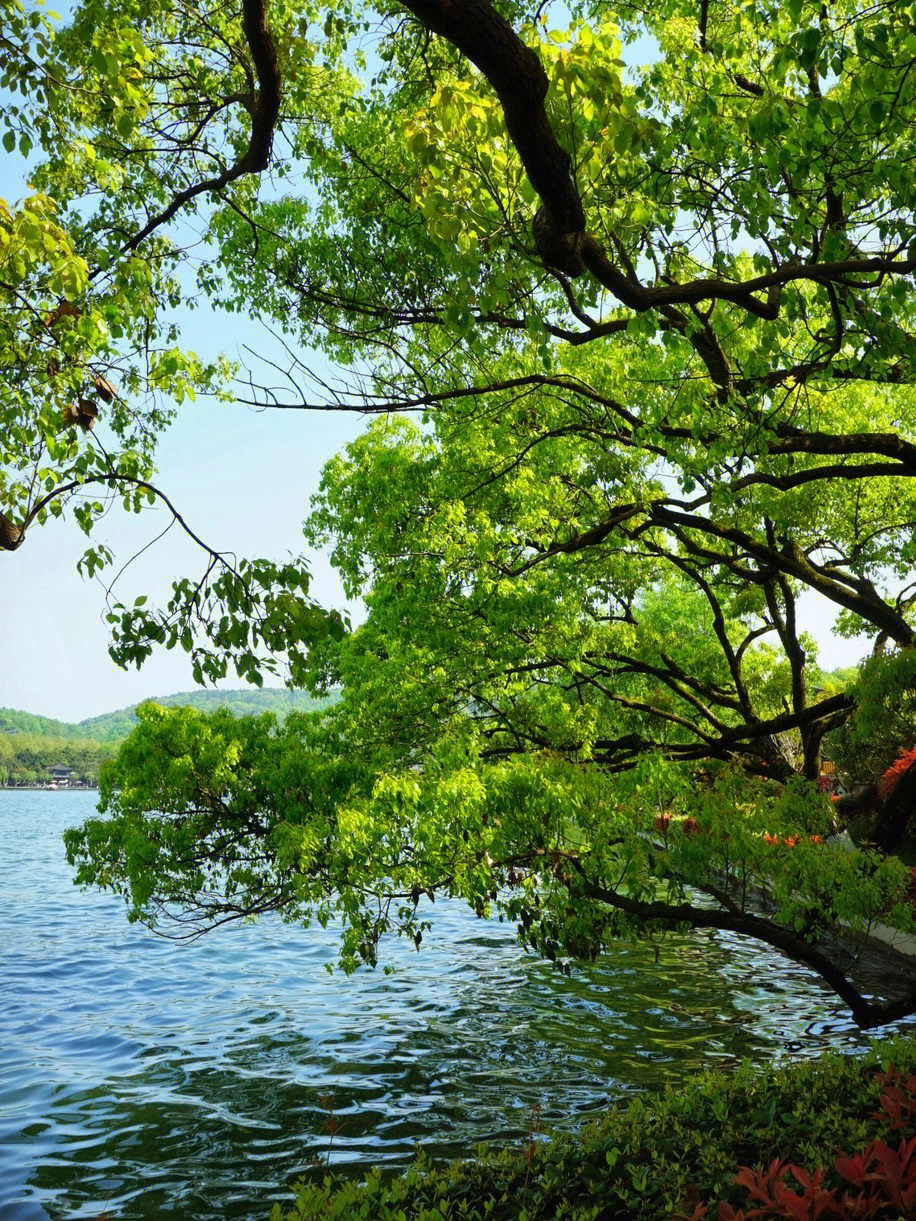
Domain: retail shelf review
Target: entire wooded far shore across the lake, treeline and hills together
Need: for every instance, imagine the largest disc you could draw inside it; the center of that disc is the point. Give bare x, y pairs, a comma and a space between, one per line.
31, 745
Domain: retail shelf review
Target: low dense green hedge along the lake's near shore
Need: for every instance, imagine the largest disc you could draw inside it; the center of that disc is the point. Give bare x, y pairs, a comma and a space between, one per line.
644, 1161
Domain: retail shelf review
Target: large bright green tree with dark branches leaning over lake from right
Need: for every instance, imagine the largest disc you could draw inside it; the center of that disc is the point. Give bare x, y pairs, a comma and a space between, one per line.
655, 327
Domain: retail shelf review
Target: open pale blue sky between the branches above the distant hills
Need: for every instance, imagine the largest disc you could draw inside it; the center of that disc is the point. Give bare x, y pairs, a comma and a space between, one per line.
242, 480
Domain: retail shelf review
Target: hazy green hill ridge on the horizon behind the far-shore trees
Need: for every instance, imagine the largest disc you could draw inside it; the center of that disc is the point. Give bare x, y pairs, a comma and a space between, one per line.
115, 726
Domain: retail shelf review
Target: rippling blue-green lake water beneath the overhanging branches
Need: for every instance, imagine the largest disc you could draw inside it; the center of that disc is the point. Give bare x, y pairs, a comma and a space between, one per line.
151, 1080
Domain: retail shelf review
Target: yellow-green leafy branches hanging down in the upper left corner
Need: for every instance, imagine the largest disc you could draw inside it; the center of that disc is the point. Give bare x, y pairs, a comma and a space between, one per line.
139, 112
